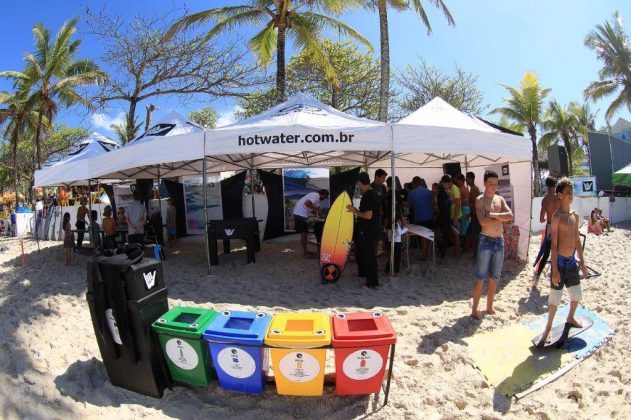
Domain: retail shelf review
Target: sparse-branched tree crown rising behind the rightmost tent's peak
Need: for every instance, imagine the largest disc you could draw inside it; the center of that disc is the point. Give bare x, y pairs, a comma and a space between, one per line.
423, 82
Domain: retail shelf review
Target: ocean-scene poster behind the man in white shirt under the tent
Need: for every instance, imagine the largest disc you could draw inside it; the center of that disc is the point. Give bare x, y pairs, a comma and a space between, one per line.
297, 182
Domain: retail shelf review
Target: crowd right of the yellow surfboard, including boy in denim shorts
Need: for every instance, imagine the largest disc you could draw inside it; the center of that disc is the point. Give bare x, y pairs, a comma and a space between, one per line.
462, 216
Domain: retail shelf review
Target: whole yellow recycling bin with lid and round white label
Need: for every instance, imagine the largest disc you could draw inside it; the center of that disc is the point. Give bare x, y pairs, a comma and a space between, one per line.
298, 363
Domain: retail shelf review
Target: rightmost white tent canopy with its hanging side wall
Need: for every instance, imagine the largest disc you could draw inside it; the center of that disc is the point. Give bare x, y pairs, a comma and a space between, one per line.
438, 133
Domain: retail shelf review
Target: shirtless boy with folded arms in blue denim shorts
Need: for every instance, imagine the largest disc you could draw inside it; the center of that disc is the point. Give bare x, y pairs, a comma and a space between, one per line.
492, 211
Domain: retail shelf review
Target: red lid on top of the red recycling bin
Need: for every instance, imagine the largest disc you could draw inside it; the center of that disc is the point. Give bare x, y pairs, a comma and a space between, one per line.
362, 328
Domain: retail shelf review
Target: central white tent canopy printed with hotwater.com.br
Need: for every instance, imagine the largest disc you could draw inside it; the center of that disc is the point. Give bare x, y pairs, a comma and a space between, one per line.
299, 132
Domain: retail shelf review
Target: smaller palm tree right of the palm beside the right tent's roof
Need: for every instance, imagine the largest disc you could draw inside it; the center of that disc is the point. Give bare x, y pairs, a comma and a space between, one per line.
560, 123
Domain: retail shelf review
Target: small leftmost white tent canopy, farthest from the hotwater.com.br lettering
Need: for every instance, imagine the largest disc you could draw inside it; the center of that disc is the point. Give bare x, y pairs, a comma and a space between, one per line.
75, 168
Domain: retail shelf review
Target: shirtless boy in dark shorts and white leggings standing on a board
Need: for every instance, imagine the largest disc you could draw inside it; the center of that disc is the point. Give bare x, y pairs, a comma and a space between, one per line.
565, 243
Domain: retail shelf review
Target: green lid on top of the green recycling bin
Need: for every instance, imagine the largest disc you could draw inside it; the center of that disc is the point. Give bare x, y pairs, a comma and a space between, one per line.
184, 322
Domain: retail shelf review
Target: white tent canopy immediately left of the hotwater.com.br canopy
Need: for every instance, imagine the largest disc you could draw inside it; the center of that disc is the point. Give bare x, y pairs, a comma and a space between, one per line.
172, 147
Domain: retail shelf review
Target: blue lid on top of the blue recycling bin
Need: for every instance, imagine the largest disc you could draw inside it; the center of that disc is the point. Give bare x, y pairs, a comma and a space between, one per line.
238, 327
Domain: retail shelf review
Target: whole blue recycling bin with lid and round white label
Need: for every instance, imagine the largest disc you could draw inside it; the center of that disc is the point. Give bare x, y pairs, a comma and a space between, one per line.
235, 340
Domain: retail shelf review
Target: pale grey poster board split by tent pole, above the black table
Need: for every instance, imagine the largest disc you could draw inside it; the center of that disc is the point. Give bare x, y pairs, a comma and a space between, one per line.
194, 198
